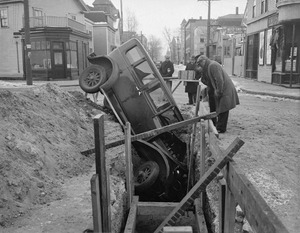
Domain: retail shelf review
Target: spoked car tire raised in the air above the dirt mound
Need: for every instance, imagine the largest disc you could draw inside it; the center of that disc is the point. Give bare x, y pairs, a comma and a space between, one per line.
92, 78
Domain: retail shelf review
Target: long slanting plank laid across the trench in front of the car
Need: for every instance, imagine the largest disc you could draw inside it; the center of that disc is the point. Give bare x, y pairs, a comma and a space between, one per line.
155, 132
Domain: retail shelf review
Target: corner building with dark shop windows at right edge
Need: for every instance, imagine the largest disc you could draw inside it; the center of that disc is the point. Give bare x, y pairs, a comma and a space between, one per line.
273, 40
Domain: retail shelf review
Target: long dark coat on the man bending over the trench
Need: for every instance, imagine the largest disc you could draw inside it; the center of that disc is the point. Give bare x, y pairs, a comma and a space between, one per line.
224, 90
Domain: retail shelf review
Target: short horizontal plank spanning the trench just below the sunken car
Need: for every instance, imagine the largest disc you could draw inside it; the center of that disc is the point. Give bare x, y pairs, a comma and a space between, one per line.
156, 208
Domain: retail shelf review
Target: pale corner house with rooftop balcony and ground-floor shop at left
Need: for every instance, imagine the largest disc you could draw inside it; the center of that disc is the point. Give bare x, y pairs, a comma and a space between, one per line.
58, 35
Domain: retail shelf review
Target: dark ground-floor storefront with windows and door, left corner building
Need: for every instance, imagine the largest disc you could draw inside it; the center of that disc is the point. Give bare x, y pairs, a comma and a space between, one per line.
58, 53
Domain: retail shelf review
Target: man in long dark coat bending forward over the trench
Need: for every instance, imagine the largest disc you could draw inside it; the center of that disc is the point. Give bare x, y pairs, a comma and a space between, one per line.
224, 93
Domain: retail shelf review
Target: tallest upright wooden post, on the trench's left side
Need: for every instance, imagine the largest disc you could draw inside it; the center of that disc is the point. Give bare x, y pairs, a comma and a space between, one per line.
104, 185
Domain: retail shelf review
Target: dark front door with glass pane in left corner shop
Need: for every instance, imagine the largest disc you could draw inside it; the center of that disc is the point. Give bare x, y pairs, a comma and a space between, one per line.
58, 61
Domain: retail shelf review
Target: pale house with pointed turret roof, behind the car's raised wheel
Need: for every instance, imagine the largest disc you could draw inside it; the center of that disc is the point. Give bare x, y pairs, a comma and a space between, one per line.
104, 19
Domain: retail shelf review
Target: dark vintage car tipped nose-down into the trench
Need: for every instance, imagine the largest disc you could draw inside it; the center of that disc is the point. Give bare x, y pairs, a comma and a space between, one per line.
136, 93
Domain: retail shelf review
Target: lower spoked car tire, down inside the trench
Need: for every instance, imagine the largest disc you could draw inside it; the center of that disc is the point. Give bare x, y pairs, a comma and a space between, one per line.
146, 176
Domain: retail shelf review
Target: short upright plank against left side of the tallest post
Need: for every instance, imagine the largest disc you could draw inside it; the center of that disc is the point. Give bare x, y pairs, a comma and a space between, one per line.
96, 204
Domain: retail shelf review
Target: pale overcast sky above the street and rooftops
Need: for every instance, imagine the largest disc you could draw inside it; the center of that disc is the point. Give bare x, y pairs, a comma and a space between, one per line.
154, 15
